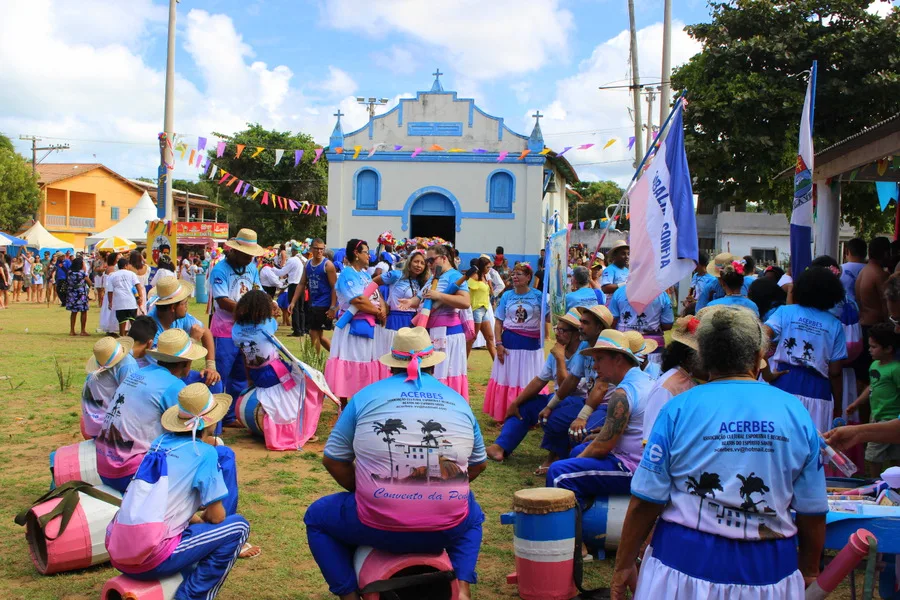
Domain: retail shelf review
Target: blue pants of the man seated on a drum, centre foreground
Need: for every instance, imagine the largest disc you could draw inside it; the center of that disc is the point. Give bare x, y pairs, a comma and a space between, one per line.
334, 531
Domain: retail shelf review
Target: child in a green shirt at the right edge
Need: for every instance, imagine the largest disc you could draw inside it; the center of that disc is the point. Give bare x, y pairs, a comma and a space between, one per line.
883, 395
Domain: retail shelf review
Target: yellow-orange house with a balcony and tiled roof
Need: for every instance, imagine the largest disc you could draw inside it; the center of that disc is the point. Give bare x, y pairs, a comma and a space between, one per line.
79, 199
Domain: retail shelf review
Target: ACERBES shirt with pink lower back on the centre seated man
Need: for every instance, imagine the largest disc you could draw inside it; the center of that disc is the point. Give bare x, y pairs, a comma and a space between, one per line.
413, 445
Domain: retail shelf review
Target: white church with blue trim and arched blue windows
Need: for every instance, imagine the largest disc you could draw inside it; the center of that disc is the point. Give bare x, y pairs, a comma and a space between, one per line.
462, 193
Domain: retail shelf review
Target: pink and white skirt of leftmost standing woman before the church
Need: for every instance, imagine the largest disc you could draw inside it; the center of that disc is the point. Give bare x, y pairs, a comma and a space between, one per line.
353, 362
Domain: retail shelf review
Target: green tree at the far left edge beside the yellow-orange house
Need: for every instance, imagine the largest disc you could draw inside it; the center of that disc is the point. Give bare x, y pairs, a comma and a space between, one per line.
19, 191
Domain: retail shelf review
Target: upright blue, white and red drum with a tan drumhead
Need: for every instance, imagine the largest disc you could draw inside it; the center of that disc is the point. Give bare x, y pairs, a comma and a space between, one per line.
544, 541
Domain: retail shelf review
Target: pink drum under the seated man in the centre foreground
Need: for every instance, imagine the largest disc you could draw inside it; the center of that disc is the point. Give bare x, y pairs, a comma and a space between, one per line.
374, 565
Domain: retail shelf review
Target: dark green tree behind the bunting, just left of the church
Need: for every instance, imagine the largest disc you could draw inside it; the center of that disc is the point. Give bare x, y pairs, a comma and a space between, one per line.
306, 181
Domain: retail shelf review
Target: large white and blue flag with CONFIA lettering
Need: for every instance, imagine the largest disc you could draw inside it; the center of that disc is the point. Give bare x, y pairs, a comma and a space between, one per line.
663, 226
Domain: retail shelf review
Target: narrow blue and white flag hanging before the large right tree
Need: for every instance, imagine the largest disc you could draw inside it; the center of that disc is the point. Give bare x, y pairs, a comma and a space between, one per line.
802, 215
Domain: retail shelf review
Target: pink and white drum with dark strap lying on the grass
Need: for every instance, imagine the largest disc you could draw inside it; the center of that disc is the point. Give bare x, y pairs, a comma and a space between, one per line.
82, 544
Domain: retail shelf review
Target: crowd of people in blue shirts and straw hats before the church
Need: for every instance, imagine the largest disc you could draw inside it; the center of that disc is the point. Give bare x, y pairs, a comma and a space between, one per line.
631, 400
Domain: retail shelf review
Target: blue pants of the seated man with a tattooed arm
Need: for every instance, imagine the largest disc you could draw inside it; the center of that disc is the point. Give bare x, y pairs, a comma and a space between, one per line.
590, 477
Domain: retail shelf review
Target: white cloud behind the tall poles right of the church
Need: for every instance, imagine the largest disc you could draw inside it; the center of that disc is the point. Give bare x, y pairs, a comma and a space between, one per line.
580, 113
